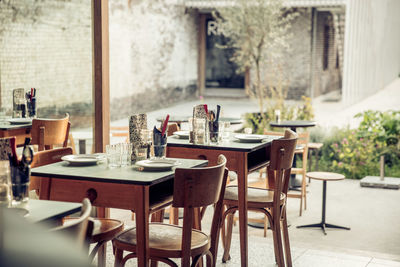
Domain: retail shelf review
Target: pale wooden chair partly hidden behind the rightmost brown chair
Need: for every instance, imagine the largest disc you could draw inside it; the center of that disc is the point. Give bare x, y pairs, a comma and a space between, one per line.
302, 149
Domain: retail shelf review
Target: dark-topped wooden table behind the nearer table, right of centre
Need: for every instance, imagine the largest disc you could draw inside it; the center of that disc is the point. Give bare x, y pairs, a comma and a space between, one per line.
242, 157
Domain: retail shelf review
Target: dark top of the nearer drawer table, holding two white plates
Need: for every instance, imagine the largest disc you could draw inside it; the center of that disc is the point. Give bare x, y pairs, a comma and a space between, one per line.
121, 175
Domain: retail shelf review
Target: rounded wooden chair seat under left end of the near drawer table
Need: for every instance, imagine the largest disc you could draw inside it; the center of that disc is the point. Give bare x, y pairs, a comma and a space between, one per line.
103, 229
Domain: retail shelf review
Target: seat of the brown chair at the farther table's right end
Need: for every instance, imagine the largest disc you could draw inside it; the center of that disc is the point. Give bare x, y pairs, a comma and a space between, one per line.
256, 195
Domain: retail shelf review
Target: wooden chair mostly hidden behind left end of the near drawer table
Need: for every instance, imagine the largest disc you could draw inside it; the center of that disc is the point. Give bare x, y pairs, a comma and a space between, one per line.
104, 230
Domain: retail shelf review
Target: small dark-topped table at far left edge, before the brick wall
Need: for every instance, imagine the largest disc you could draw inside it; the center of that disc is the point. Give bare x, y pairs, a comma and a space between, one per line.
20, 130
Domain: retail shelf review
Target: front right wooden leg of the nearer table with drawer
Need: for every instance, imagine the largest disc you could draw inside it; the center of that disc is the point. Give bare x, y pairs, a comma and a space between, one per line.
142, 226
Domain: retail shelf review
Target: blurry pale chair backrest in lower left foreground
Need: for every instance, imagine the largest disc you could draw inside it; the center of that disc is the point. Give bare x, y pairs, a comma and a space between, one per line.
80, 229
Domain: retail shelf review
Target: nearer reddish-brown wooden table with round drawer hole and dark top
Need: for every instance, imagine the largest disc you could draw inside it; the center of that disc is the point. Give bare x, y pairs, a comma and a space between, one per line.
129, 188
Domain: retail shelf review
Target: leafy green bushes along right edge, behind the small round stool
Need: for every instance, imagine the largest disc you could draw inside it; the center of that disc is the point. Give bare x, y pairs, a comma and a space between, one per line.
356, 152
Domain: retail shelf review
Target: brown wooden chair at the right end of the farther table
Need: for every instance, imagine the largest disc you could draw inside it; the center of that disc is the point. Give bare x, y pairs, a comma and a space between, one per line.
271, 202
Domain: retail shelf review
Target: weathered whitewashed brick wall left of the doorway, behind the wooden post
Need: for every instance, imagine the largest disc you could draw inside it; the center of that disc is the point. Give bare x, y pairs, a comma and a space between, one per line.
47, 45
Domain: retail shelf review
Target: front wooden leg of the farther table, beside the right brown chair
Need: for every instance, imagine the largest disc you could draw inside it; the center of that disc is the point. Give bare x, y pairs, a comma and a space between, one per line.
242, 188
